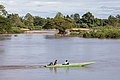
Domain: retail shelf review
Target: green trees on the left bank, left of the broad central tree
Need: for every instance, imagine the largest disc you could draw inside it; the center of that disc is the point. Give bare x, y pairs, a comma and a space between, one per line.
12, 23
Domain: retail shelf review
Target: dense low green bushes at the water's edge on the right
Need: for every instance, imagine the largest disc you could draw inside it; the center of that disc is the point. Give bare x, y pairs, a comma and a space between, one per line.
104, 32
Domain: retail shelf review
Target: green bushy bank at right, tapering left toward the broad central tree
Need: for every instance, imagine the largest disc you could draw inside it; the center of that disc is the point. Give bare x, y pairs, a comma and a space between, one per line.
102, 32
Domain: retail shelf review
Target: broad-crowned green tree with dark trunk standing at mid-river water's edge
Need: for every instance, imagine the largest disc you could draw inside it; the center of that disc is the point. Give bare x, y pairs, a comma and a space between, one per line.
60, 23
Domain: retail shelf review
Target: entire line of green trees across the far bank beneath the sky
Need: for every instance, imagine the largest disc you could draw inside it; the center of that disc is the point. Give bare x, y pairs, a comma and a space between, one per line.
12, 23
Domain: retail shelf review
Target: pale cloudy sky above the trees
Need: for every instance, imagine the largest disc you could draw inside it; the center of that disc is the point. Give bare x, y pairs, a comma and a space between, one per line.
49, 8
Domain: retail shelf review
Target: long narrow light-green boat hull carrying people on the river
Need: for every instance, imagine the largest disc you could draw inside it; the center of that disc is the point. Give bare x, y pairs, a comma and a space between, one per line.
70, 65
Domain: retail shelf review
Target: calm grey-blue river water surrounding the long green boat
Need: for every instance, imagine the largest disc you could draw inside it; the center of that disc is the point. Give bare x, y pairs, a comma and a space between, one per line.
40, 49
